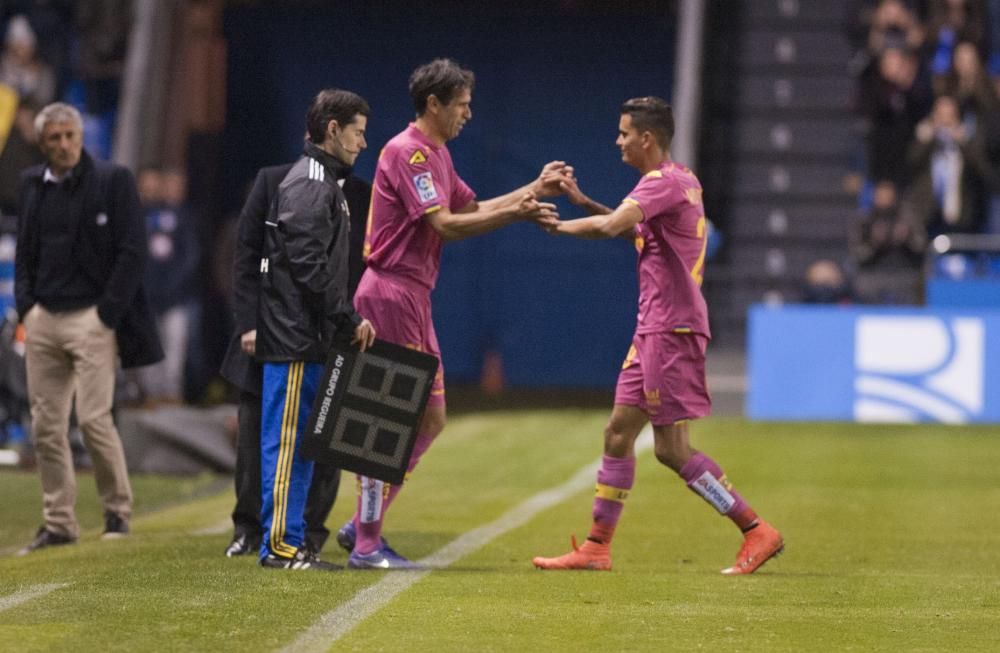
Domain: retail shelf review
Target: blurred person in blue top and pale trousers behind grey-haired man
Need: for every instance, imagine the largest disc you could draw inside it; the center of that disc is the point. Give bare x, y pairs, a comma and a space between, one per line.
171, 278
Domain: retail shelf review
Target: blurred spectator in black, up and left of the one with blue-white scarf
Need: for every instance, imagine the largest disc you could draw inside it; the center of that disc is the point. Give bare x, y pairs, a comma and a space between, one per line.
896, 97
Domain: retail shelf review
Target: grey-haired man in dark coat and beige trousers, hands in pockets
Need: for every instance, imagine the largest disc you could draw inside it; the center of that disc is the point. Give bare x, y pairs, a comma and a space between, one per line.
81, 250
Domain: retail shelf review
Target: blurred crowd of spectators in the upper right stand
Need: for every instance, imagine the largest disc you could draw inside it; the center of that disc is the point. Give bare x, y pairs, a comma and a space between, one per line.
928, 95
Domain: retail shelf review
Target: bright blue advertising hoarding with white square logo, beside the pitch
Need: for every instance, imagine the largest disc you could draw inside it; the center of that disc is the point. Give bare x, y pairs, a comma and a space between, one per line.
870, 364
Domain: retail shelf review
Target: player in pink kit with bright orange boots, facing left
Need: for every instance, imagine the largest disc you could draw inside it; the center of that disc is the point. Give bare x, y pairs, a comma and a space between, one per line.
663, 377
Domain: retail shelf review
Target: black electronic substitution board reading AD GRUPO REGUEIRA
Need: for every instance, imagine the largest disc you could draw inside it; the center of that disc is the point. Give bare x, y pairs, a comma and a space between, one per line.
367, 409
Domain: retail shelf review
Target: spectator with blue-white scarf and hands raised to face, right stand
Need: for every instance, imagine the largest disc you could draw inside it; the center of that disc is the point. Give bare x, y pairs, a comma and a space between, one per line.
952, 175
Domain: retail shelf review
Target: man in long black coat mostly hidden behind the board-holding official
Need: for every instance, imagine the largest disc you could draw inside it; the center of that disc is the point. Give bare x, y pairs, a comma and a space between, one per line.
240, 369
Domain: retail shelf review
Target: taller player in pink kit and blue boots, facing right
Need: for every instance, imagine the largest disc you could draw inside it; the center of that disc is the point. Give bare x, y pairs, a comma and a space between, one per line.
418, 203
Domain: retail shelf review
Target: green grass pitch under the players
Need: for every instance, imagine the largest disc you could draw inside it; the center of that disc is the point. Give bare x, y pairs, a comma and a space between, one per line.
892, 541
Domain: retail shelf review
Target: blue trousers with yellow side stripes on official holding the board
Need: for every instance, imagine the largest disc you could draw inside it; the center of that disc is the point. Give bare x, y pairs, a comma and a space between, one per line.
287, 396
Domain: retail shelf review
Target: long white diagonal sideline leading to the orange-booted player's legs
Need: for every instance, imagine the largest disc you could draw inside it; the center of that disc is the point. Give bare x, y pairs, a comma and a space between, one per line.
341, 620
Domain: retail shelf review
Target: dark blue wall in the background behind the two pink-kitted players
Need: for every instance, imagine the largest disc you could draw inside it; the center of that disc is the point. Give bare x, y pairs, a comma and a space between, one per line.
549, 82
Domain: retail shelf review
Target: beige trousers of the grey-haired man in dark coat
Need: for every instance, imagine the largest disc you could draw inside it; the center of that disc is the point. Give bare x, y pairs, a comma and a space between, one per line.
67, 352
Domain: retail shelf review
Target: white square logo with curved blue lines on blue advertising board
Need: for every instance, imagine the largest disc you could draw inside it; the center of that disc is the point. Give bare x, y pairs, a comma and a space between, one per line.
918, 369
